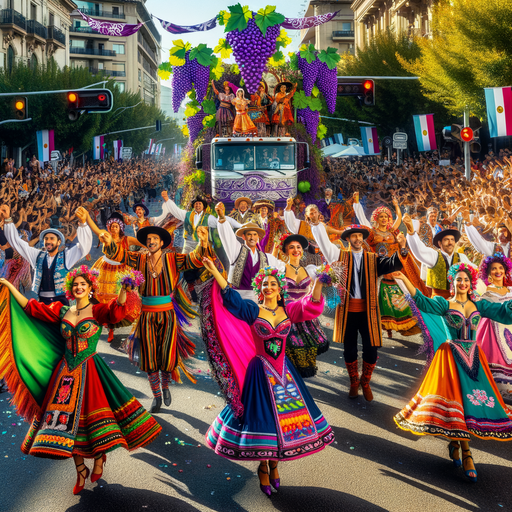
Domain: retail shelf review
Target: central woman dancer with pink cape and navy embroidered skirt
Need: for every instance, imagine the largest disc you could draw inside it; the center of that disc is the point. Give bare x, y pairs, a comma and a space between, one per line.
270, 414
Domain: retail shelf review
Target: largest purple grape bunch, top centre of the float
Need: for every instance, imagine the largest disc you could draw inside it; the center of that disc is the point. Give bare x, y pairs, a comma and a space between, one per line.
252, 50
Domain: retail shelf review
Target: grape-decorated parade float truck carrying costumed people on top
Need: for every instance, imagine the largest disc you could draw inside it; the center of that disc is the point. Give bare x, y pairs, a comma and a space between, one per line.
253, 125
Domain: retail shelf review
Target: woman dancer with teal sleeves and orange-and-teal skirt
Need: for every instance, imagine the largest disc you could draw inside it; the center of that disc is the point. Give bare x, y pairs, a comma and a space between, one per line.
458, 397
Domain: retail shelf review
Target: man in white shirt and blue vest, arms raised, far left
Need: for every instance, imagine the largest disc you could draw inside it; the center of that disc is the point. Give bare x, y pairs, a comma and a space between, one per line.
51, 265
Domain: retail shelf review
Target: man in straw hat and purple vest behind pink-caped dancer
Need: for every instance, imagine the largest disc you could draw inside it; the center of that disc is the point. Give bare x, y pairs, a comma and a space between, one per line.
245, 260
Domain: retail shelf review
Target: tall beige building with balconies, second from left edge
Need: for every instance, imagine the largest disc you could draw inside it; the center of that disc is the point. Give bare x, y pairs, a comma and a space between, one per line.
131, 61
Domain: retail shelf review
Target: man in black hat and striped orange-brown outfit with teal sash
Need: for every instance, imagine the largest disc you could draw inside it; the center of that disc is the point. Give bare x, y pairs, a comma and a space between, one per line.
163, 345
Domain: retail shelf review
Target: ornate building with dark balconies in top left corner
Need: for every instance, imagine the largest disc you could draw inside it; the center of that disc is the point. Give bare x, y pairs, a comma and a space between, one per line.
35, 30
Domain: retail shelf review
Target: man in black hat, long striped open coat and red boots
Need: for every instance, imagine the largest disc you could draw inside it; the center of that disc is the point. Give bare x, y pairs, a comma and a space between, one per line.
359, 311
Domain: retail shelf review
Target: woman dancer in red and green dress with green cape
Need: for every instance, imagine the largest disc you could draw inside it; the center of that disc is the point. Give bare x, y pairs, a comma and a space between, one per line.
77, 406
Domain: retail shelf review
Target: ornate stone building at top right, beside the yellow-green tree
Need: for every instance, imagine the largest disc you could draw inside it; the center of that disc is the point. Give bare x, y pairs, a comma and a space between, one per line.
372, 16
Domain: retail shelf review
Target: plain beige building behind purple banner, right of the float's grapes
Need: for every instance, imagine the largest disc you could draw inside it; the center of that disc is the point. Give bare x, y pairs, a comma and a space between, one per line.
337, 33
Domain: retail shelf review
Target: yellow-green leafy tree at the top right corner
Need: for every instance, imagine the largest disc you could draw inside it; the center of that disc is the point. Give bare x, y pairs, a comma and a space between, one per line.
471, 49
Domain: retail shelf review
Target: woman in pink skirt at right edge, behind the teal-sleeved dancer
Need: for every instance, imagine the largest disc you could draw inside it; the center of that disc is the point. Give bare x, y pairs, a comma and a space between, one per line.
494, 338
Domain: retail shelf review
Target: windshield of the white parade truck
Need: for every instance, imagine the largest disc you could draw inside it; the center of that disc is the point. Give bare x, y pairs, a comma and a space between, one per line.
250, 157
